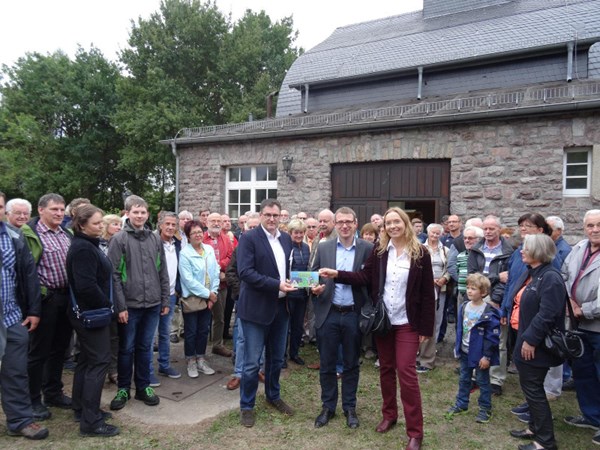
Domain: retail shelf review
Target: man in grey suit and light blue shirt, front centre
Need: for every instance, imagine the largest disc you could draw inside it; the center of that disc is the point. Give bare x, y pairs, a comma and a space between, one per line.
337, 309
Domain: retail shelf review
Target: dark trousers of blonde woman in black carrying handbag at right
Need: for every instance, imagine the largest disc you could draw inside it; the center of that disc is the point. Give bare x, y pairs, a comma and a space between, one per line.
532, 384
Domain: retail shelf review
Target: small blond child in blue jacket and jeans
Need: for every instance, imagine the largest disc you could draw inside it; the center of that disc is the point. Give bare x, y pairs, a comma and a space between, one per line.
477, 341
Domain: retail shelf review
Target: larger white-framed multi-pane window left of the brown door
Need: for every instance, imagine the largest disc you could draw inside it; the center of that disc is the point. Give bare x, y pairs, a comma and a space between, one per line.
247, 186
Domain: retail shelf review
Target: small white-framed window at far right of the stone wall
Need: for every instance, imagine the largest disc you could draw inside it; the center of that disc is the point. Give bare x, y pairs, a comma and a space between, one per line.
577, 171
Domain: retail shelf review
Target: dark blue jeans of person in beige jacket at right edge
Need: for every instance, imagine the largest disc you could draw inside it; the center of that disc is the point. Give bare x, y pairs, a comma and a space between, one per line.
586, 373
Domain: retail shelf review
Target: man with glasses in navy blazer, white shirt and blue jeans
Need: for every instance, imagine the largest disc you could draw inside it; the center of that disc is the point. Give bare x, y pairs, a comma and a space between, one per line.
263, 267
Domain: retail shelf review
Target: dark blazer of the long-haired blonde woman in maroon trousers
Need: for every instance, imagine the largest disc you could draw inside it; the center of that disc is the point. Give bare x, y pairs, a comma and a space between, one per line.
420, 296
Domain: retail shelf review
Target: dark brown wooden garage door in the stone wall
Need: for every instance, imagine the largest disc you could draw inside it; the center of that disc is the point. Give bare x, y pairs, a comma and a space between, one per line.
422, 188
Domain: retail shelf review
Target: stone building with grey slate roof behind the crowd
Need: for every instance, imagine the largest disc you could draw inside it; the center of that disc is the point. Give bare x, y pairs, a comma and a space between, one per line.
468, 106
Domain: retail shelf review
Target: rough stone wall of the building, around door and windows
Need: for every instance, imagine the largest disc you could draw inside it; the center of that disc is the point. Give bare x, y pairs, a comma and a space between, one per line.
499, 167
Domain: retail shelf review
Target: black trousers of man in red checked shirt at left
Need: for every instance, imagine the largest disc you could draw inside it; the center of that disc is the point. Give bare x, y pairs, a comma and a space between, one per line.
48, 344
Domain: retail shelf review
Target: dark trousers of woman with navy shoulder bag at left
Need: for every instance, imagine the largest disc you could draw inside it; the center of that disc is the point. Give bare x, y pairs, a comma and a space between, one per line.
92, 365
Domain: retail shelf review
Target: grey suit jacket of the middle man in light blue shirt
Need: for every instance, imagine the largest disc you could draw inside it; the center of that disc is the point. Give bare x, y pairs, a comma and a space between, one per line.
326, 258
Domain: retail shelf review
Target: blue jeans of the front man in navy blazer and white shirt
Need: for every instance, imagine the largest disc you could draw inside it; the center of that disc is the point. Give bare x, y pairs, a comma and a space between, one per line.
273, 337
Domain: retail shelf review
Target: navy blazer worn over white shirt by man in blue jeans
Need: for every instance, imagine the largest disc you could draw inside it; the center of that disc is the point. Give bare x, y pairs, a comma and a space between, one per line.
259, 277
